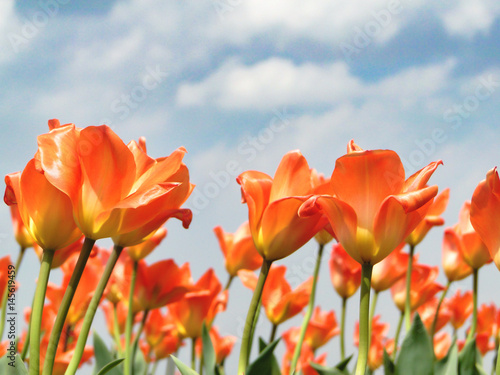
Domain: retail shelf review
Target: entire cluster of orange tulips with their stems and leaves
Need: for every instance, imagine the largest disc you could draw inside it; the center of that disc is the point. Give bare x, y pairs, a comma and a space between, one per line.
86, 184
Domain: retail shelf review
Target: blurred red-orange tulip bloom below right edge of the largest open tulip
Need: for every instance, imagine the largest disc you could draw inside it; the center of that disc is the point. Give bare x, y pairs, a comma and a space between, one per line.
160, 284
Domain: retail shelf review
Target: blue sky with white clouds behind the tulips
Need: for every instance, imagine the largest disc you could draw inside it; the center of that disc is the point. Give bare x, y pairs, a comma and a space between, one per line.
239, 83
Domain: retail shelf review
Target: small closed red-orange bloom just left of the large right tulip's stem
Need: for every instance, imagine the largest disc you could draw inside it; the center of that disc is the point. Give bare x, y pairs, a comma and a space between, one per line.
345, 272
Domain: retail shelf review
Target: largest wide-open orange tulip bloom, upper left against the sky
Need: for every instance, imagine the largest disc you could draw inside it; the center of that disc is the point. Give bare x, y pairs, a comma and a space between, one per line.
115, 190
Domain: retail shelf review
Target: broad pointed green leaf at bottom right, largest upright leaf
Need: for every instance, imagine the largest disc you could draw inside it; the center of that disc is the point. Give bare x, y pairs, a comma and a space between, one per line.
416, 356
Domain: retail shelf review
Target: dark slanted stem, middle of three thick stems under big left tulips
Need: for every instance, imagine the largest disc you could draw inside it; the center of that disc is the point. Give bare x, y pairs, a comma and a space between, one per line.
55, 335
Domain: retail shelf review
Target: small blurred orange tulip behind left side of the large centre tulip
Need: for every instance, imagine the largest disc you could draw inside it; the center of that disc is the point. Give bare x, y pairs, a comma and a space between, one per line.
238, 249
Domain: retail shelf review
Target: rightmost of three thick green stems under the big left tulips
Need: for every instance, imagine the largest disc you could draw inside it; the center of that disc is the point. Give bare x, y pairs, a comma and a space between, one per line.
91, 310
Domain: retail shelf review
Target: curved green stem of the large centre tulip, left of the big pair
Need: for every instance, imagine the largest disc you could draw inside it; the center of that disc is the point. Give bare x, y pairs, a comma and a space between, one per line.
257, 294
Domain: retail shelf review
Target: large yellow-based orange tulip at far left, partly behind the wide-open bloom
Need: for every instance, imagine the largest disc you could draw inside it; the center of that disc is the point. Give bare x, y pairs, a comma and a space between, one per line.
45, 210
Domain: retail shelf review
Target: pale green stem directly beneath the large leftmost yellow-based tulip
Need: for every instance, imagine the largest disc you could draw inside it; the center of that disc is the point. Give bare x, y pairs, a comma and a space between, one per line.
36, 313
